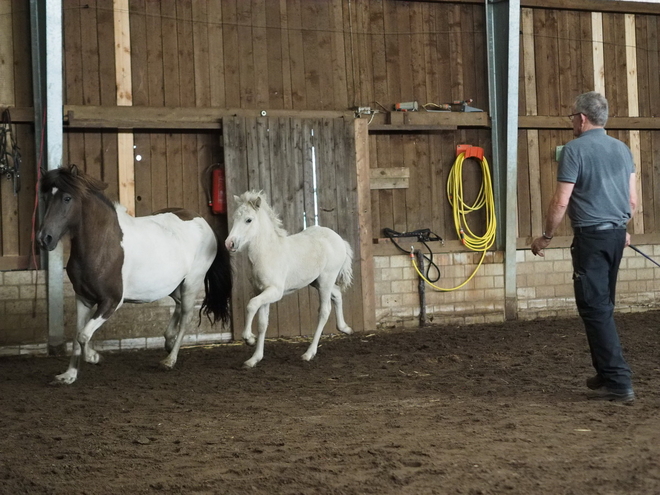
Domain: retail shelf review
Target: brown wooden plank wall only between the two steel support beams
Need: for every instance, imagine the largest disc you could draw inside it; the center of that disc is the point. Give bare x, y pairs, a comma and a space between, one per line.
283, 55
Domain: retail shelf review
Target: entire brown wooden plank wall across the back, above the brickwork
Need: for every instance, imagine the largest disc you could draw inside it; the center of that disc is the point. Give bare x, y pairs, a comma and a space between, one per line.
330, 55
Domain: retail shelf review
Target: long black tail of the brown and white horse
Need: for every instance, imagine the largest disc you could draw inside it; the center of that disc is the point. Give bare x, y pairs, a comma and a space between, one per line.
218, 285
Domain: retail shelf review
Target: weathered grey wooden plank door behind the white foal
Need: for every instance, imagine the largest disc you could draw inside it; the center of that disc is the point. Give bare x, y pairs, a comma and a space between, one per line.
309, 170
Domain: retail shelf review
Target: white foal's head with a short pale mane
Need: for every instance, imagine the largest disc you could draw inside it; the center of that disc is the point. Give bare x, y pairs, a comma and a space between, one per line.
253, 217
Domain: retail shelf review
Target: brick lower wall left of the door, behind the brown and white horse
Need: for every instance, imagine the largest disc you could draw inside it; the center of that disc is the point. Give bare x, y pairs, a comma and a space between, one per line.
24, 323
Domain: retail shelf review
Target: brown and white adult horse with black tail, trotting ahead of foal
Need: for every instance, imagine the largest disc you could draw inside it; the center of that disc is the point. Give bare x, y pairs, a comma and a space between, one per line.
116, 258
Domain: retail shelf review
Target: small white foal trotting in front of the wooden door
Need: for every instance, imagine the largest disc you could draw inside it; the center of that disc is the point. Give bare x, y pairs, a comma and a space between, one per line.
282, 264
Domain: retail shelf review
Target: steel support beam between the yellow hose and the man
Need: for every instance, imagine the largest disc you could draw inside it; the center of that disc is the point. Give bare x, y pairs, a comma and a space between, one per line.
503, 38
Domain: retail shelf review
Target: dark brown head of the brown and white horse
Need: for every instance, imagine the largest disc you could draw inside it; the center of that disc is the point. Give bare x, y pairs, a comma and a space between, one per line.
66, 189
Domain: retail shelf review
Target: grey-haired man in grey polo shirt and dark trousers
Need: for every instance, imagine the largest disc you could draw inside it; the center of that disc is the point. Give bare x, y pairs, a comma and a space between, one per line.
596, 185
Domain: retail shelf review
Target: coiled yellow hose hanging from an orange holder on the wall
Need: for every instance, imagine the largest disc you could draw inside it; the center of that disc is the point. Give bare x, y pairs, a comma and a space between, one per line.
460, 210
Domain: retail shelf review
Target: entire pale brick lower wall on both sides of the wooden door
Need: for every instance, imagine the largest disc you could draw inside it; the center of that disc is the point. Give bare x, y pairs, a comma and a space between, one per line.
545, 289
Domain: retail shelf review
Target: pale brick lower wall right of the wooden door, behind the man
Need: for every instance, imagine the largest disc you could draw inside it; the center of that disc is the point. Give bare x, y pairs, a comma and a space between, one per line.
544, 287
